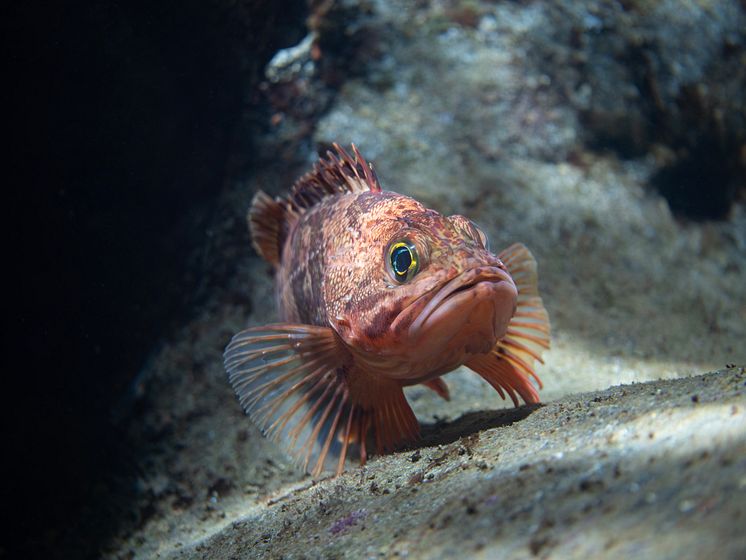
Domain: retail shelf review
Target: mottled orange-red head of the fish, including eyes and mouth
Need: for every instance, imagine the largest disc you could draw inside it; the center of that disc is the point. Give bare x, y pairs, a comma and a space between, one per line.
422, 293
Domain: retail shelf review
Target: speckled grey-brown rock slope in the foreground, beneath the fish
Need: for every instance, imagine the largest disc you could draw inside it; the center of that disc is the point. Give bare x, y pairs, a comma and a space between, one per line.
654, 470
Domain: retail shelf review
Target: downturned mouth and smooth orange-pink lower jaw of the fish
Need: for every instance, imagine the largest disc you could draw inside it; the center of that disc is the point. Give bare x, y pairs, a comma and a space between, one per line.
469, 314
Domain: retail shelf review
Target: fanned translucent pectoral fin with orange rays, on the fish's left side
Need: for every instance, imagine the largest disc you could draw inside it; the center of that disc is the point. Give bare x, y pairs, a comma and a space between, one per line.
287, 380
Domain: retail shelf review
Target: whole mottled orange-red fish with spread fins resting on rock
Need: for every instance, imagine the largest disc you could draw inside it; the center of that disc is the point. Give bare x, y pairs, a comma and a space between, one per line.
375, 293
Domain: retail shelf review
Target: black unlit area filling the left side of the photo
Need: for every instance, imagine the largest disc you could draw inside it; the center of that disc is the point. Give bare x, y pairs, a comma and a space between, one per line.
126, 119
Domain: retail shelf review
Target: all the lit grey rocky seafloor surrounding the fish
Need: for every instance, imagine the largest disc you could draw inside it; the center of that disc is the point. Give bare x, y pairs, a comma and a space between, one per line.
479, 120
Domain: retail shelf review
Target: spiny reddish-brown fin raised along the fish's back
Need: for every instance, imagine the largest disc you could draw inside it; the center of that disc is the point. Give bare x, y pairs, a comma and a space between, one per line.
339, 173
